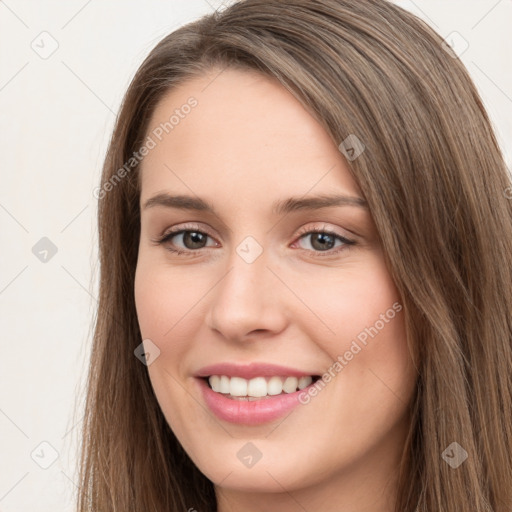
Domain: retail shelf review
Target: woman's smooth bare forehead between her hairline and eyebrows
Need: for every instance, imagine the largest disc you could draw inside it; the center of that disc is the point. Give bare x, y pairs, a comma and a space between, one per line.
246, 137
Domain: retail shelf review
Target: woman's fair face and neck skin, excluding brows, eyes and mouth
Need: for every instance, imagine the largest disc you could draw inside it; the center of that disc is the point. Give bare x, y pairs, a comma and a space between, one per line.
246, 144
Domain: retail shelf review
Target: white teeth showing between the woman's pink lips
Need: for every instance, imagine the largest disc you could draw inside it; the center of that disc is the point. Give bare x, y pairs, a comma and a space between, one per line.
258, 388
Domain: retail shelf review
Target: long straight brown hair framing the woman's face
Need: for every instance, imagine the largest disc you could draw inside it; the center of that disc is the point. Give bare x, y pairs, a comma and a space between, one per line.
436, 185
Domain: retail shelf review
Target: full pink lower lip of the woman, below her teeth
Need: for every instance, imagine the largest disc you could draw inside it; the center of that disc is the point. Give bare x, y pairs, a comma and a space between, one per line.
246, 412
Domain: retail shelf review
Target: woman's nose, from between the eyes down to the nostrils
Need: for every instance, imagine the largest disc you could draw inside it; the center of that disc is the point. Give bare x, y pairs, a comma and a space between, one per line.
248, 301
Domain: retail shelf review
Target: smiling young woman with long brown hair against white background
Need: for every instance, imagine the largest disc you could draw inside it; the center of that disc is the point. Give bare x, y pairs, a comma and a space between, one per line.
306, 248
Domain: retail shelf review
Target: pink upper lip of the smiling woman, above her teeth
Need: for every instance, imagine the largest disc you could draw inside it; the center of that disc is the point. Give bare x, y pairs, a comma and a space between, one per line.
251, 370
